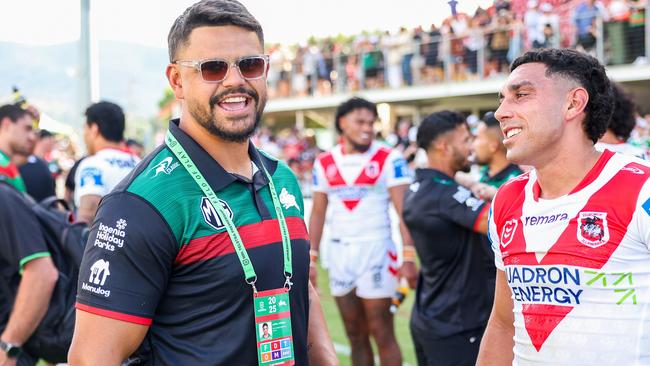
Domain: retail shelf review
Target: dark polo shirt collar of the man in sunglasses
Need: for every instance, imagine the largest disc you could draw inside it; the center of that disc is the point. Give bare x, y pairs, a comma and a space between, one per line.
215, 174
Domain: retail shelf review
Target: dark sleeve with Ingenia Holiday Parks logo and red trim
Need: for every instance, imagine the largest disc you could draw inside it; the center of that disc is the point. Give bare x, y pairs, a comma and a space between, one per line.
128, 259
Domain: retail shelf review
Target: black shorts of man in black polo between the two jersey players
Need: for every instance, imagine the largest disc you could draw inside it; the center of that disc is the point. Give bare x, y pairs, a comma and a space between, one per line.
457, 350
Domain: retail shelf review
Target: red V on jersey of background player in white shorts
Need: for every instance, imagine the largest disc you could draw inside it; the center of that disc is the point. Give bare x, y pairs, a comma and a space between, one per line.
367, 177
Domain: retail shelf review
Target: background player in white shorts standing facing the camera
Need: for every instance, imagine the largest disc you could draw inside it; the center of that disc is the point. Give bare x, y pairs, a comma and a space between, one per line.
358, 179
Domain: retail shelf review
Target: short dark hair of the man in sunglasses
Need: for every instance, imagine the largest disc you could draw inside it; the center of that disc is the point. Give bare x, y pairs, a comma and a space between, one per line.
210, 13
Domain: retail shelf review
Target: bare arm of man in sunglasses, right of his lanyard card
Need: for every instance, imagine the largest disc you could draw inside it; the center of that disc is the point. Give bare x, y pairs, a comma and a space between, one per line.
321, 349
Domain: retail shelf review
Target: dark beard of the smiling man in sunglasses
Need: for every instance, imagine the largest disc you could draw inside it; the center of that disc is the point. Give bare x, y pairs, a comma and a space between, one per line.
208, 120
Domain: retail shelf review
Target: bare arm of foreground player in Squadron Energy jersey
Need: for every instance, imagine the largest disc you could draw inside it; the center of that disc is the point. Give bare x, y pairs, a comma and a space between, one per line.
497, 344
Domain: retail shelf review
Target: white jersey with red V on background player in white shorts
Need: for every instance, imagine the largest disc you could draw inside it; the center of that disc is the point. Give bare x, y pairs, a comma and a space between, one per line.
357, 189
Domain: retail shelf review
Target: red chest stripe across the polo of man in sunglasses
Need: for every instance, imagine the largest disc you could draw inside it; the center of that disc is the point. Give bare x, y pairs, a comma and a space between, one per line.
253, 235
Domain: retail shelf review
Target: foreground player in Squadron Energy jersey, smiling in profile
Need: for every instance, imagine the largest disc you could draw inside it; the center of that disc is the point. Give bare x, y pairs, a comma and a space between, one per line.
571, 237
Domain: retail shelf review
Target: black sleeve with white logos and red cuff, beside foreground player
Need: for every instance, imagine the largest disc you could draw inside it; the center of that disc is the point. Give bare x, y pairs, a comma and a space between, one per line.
459, 205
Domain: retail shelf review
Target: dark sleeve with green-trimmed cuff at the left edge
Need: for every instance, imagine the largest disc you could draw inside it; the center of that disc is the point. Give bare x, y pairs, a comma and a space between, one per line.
21, 238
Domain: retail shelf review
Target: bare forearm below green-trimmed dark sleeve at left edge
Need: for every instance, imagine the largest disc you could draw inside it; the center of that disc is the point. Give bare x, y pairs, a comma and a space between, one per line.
32, 300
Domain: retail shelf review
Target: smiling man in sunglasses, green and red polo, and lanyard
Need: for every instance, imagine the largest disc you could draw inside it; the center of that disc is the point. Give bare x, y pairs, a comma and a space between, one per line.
204, 242
